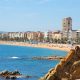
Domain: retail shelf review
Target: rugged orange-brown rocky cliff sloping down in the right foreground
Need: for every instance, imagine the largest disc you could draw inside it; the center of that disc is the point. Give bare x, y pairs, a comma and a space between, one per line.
67, 69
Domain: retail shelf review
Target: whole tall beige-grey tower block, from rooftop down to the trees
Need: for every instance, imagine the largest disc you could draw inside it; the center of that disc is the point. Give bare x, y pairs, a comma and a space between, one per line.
67, 28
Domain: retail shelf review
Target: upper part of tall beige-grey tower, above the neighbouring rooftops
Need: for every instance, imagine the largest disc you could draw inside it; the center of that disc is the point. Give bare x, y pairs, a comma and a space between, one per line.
67, 24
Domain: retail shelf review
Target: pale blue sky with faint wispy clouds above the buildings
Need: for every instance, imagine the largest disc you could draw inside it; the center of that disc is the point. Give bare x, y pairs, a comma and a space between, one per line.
38, 15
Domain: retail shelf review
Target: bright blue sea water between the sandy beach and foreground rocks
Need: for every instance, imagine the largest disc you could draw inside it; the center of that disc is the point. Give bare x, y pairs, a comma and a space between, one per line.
20, 58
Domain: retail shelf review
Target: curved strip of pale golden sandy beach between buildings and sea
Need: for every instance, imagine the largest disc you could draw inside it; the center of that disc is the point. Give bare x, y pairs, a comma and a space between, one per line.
63, 47
